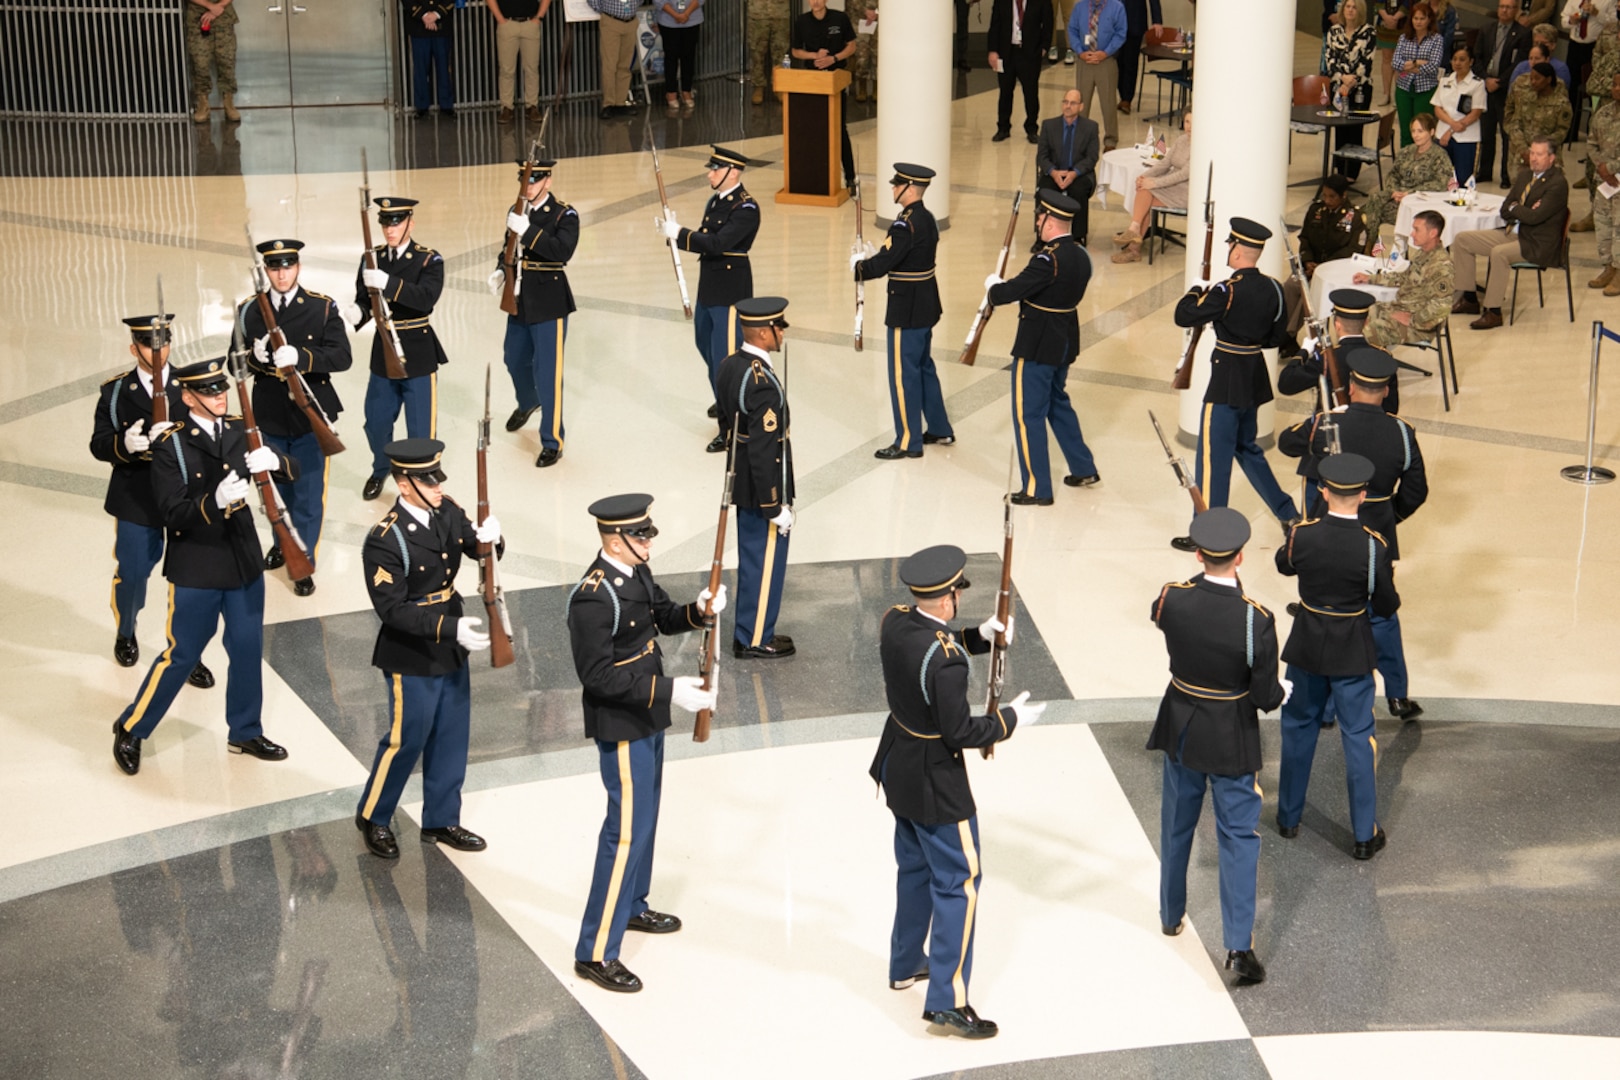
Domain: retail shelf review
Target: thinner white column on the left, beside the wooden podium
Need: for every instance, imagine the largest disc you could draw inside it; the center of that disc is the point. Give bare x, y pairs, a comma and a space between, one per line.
914, 100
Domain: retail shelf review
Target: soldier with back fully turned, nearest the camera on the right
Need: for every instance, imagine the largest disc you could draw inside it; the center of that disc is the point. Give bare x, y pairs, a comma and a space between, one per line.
1222, 676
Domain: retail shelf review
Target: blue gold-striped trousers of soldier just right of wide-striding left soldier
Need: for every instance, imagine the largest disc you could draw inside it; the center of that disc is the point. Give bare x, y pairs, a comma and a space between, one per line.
428, 720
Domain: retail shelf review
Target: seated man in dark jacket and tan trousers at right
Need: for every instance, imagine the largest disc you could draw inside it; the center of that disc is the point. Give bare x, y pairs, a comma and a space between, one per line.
1535, 234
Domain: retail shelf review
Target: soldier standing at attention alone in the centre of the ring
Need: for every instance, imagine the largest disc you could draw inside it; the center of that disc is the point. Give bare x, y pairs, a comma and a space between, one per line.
754, 401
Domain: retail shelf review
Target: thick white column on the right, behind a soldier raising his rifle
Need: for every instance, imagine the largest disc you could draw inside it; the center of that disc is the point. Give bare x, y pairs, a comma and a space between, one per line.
1242, 98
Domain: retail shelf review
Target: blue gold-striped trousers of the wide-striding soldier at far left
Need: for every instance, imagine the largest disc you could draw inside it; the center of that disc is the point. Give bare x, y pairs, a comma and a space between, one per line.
194, 618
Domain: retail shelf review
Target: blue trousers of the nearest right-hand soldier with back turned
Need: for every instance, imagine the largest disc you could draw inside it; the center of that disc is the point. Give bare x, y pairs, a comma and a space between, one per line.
1237, 802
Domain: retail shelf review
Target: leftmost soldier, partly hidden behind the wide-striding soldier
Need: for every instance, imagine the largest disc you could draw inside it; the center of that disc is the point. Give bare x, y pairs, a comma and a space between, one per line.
124, 436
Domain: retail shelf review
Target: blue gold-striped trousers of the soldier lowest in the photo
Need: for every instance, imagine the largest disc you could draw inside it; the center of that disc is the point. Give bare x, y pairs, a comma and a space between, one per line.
937, 883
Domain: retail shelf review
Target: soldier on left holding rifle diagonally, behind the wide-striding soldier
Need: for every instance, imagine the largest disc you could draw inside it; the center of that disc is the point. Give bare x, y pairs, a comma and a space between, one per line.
317, 347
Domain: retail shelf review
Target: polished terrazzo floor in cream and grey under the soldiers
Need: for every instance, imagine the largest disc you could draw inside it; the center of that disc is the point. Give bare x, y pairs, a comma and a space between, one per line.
216, 917
